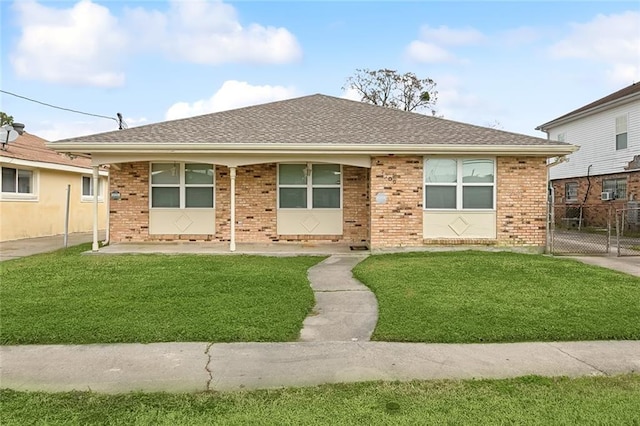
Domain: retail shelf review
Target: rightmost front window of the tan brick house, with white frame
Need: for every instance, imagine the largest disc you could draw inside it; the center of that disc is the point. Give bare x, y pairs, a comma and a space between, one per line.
459, 184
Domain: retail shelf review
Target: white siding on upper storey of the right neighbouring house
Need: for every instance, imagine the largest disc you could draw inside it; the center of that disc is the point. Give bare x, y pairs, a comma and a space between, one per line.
596, 136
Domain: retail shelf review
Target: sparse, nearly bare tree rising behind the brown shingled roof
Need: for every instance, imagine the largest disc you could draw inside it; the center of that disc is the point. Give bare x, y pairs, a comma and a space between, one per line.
390, 89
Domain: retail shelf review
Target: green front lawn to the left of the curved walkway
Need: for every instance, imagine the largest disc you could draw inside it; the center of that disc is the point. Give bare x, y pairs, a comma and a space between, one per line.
66, 297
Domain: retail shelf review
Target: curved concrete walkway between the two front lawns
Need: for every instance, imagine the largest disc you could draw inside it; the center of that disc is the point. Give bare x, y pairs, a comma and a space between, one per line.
346, 310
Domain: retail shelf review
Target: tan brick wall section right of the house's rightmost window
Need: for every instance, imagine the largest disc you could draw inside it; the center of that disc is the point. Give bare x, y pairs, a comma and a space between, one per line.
521, 201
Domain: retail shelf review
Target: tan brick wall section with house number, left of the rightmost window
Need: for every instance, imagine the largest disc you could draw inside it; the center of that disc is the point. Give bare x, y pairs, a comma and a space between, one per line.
398, 221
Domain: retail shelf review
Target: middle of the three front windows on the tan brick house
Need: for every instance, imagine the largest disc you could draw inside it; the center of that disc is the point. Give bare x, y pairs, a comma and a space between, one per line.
305, 186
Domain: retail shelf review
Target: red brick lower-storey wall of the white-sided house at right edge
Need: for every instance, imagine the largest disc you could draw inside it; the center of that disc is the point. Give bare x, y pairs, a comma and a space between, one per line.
595, 213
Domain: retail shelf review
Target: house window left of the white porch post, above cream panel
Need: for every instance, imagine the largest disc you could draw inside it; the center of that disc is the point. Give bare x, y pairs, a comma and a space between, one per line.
182, 185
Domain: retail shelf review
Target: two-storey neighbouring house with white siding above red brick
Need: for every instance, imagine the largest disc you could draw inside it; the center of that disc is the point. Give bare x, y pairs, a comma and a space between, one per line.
604, 175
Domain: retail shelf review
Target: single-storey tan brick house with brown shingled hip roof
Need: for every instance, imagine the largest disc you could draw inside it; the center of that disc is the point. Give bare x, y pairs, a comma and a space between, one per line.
319, 169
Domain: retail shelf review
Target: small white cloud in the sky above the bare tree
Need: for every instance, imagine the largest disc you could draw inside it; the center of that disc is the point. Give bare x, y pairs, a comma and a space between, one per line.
429, 47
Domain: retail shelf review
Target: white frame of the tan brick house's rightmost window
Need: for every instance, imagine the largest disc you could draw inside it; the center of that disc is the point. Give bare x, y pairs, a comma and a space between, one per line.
459, 185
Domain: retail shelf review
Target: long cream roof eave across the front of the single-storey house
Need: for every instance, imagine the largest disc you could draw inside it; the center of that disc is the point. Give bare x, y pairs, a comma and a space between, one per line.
372, 149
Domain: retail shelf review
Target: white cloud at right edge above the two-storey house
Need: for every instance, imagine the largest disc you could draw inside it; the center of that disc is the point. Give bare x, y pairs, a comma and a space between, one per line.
613, 40
